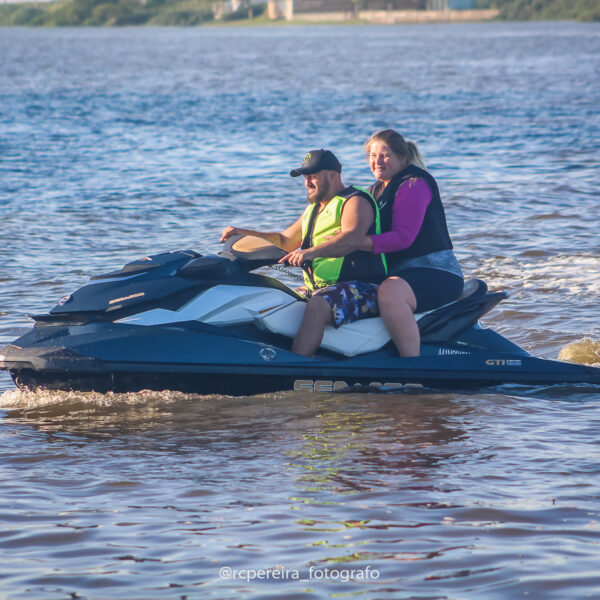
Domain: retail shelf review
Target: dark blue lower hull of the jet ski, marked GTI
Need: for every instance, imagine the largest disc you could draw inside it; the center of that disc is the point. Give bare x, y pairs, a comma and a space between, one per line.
203, 359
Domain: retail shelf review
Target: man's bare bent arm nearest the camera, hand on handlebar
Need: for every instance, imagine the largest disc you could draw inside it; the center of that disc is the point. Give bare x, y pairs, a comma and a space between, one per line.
357, 217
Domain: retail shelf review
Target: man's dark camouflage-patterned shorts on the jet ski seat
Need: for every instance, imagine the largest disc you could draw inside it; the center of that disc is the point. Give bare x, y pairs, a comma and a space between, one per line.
350, 301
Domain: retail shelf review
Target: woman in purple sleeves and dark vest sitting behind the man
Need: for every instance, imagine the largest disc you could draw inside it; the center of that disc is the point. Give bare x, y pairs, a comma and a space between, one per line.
424, 271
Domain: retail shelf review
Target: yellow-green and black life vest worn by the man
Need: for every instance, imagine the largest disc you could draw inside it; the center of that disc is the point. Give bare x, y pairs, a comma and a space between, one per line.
318, 226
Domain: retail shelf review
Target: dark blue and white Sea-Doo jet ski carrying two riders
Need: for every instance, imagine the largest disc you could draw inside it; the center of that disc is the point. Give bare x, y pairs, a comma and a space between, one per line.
218, 324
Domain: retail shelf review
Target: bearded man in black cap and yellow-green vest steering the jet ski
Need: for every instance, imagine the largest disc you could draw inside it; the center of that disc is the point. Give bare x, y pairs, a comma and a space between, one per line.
324, 241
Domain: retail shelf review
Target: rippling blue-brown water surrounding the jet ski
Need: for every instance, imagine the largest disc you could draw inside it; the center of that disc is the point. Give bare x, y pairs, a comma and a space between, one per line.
116, 143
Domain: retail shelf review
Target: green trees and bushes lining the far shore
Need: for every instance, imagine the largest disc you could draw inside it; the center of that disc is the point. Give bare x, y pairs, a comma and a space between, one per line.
66, 13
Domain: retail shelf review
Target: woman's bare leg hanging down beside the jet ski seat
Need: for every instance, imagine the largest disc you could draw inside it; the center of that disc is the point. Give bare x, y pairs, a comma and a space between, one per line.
397, 303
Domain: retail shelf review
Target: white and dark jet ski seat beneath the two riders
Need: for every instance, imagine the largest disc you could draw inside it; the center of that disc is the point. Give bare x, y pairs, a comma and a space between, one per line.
369, 335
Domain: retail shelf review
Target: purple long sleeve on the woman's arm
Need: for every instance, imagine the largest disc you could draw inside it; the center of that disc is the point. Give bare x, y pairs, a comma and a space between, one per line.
411, 202
